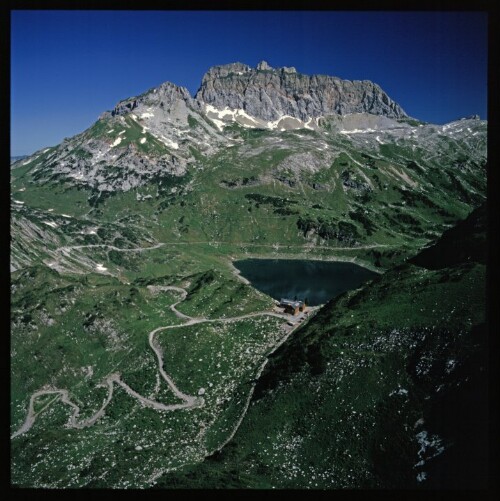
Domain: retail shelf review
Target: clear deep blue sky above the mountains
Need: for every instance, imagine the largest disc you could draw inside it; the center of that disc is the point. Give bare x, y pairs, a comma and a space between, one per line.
69, 66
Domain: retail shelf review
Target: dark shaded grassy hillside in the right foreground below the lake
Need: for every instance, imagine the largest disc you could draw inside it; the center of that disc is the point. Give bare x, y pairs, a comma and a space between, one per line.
385, 388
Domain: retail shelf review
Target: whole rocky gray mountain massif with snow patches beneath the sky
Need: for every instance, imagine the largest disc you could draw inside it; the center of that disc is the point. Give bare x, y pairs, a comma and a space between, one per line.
166, 132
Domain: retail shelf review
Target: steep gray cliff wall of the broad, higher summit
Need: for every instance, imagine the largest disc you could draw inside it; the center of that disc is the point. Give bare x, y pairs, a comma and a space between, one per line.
268, 93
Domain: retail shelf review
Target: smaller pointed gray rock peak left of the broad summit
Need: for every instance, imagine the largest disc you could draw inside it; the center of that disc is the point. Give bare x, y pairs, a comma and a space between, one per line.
142, 138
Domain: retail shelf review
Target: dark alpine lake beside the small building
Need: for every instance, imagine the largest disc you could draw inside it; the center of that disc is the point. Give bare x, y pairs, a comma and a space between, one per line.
316, 281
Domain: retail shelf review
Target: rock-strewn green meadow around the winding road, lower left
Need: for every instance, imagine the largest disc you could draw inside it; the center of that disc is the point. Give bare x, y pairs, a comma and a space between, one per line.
76, 331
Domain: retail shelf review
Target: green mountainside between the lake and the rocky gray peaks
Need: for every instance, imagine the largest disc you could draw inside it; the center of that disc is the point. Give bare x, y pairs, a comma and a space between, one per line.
290, 192
